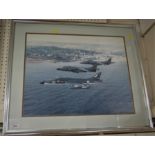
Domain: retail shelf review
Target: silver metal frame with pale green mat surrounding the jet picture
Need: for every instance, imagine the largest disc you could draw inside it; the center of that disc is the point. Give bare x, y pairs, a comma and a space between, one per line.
15, 123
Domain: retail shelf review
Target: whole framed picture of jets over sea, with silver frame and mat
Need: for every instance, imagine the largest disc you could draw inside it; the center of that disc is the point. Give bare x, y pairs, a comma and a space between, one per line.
69, 77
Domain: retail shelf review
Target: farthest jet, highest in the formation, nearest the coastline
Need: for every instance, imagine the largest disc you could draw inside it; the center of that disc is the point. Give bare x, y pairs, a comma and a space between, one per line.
95, 62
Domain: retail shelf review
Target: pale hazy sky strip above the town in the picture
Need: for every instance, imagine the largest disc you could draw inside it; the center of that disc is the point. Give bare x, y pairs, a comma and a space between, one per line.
97, 43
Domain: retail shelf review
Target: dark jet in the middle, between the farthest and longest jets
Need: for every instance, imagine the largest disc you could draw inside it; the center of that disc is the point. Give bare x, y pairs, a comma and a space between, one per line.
78, 69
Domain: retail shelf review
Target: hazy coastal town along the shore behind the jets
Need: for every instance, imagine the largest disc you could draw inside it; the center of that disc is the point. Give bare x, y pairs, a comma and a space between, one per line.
59, 54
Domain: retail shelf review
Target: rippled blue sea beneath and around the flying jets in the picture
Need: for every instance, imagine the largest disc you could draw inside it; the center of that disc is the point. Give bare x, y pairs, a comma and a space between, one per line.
112, 95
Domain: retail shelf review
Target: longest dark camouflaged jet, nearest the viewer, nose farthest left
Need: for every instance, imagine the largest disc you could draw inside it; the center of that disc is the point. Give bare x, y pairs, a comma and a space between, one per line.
95, 78
